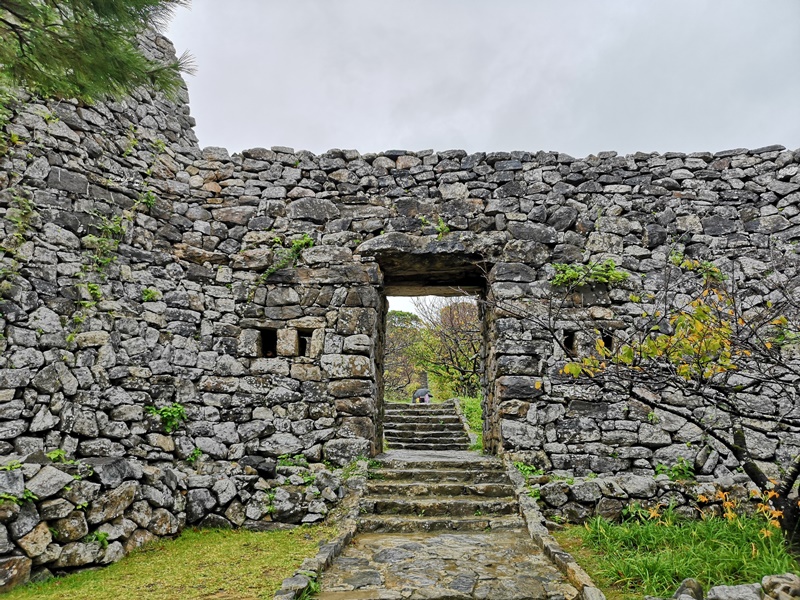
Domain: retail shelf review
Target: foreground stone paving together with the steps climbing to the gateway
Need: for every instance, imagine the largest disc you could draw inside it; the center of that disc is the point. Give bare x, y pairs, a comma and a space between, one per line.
442, 525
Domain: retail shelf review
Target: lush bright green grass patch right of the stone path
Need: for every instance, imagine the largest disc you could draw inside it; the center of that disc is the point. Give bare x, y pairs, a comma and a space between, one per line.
651, 556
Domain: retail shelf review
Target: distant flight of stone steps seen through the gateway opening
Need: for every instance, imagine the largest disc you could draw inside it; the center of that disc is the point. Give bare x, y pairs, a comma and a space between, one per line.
423, 427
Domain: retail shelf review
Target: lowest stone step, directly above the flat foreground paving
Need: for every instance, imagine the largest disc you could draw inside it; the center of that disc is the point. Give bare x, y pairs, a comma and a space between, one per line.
412, 524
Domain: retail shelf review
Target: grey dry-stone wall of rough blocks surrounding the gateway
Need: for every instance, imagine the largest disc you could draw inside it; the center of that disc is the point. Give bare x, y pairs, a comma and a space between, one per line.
141, 273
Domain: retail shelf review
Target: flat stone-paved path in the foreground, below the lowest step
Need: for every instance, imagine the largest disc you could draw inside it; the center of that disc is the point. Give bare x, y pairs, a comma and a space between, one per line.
499, 565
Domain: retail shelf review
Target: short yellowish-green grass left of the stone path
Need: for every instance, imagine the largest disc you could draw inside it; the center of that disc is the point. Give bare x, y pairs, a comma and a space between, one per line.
204, 563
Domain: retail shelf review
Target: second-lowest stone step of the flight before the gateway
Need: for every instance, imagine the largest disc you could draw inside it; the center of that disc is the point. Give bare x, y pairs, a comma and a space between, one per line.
439, 506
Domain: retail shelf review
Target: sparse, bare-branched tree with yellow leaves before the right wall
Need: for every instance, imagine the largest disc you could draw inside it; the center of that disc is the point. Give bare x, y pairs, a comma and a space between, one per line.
686, 331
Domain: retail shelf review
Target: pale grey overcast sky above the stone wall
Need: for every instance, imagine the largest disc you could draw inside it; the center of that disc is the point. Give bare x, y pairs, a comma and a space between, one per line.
577, 76
